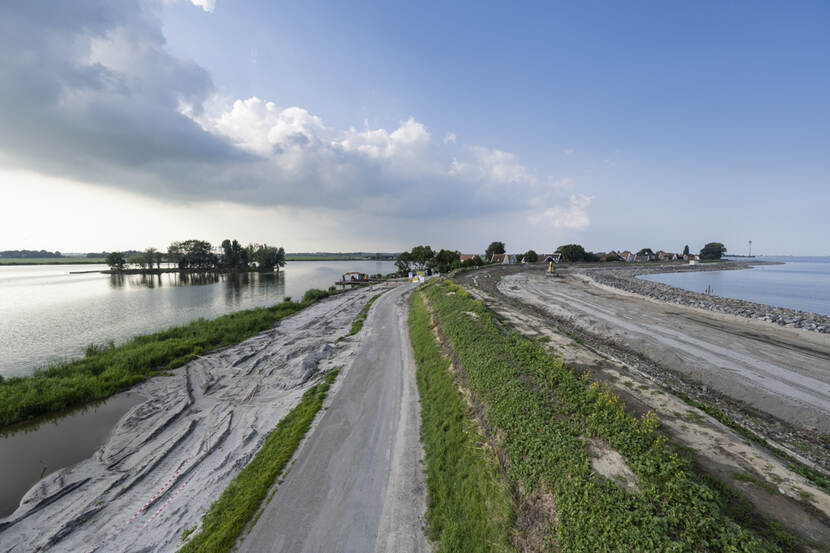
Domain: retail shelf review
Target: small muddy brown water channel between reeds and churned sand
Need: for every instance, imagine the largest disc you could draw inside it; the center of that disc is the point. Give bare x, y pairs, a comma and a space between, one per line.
30, 451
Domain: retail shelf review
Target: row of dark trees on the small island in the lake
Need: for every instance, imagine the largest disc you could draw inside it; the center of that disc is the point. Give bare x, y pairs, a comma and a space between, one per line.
200, 255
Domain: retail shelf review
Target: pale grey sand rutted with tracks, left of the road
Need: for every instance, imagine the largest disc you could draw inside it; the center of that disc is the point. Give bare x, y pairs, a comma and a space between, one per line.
170, 457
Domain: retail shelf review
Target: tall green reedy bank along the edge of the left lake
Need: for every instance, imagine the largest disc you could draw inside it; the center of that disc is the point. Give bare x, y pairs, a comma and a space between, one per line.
107, 370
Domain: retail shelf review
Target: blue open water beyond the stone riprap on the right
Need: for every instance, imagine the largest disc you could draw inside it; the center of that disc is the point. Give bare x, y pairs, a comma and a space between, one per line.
801, 283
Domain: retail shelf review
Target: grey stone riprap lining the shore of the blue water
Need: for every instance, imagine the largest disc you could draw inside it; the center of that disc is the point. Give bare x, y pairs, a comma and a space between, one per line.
622, 277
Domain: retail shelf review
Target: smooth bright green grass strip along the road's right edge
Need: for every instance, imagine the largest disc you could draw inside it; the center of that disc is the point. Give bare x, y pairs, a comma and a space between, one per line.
470, 507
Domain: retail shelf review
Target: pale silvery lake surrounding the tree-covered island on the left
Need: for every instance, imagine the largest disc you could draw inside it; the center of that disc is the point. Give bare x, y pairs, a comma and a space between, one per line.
48, 315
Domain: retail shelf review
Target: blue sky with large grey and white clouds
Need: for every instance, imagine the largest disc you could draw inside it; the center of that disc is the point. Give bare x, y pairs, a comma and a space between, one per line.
358, 126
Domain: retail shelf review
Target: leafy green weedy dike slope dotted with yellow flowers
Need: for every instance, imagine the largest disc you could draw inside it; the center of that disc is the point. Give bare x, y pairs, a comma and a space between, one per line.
545, 414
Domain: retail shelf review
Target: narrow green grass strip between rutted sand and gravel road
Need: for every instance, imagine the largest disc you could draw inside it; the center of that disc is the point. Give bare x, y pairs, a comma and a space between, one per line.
241, 500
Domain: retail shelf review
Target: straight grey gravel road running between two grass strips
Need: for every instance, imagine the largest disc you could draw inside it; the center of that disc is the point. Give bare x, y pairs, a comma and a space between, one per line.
357, 484
